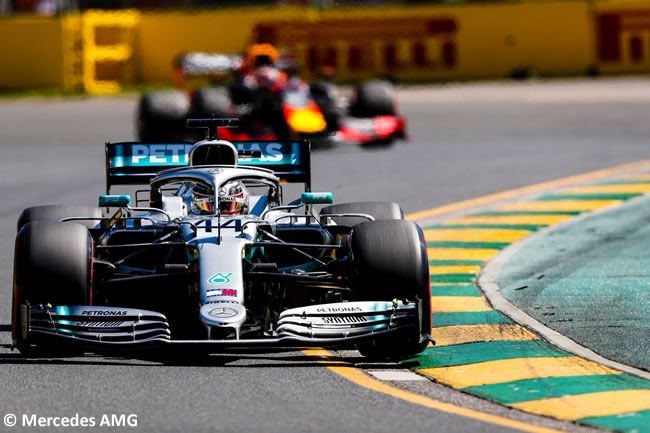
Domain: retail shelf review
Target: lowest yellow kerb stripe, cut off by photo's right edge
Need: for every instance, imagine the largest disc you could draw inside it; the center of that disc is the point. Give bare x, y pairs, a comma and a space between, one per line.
588, 405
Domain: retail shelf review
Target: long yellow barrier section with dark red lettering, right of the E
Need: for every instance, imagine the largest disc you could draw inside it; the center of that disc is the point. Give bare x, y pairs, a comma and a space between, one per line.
410, 43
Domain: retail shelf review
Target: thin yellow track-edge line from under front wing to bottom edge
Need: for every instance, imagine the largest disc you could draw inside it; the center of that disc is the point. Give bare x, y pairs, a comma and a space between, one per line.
356, 376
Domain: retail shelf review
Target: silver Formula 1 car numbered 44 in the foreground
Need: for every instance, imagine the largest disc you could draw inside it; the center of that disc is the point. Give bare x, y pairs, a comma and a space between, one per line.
215, 261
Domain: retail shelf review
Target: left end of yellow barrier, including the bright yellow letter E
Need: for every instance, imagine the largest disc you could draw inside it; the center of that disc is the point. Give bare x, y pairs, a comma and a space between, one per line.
68, 52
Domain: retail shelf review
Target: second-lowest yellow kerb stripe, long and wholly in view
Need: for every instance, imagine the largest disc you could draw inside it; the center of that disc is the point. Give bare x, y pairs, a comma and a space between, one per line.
509, 370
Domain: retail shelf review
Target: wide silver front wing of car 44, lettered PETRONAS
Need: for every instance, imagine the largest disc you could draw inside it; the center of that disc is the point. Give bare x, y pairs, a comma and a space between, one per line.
326, 325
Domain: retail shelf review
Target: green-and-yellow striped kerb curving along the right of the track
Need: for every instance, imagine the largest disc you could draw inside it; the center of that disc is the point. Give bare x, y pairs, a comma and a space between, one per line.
518, 369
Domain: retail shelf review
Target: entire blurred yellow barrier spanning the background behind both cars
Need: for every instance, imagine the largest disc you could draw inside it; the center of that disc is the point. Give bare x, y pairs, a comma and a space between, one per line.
99, 50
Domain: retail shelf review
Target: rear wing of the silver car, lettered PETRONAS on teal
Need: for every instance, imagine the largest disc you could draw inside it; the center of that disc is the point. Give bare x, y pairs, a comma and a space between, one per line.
135, 163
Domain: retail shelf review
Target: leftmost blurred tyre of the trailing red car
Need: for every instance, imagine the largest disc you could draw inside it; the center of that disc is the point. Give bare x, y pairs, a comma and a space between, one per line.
161, 116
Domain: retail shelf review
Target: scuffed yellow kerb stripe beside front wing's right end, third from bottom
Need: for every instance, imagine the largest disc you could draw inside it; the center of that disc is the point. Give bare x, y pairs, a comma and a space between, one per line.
461, 334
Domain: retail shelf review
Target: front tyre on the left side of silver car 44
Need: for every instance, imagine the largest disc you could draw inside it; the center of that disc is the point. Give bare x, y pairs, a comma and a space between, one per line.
52, 265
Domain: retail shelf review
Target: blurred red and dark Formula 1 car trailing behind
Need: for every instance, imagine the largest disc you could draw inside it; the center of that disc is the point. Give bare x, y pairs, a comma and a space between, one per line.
271, 101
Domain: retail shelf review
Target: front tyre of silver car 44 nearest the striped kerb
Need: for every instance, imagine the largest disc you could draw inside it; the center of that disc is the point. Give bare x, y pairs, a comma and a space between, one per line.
390, 262
